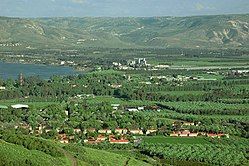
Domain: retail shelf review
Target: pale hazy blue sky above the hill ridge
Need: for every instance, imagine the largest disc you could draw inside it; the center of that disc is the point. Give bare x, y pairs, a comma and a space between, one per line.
114, 8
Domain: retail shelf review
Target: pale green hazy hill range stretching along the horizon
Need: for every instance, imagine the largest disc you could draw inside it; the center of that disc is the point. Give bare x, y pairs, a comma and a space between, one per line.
221, 31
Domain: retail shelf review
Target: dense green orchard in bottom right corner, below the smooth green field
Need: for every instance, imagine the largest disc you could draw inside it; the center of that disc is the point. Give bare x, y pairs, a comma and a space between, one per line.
208, 153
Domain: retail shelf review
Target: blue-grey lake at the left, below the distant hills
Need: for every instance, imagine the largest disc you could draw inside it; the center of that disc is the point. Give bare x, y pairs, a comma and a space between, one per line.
12, 70
